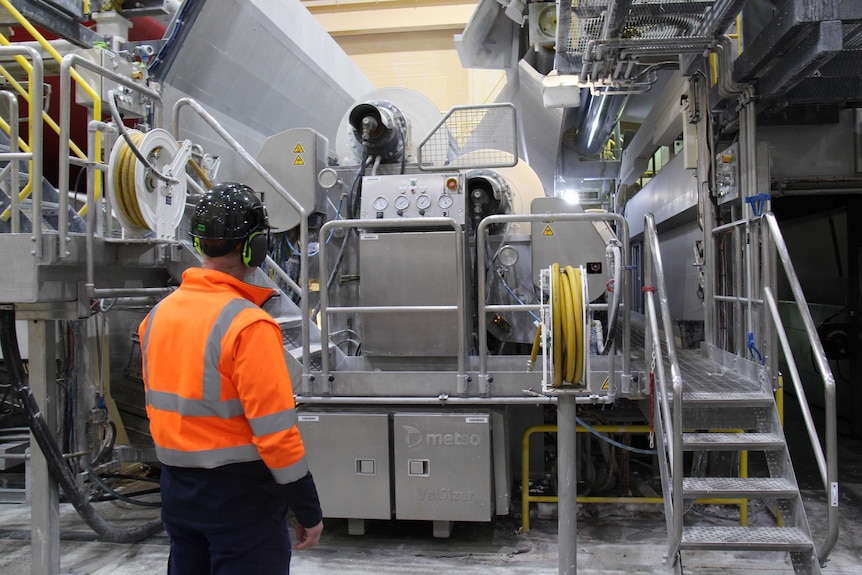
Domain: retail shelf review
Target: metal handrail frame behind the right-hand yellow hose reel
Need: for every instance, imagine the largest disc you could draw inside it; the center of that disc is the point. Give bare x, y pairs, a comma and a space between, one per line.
622, 230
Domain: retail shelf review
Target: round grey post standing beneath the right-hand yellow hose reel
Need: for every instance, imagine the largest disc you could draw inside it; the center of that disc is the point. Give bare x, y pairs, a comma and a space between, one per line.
567, 484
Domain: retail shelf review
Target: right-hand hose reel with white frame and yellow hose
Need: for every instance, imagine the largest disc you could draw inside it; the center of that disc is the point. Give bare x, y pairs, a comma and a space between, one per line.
565, 334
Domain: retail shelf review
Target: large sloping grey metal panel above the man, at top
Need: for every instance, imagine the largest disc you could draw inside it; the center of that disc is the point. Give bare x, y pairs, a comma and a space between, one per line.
259, 67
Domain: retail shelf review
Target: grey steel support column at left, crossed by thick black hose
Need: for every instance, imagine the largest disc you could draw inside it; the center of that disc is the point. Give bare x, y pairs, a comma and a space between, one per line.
44, 494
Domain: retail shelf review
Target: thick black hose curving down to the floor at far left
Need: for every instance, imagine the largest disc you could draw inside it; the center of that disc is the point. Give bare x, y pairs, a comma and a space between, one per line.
57, 467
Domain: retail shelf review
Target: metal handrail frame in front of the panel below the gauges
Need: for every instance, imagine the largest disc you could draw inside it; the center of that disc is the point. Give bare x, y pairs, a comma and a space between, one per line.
399, 223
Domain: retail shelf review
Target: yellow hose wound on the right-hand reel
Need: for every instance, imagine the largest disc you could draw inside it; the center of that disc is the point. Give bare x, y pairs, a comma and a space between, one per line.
568, 325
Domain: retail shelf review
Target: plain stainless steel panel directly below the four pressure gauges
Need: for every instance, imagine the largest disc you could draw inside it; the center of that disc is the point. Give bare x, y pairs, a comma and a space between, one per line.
409, 269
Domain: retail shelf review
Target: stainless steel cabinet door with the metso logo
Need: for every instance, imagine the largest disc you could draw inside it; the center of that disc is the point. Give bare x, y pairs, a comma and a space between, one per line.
442, 466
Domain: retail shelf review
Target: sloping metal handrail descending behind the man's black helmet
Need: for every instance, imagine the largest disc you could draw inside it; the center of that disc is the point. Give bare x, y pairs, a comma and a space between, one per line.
269, 179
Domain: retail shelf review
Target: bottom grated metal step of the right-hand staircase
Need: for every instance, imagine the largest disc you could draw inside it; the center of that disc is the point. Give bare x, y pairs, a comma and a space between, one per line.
746, 538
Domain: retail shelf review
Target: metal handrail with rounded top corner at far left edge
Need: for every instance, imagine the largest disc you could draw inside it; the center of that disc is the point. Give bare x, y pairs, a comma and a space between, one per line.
35, 154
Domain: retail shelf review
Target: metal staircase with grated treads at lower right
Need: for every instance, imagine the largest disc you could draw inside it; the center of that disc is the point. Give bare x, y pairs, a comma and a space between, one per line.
743, 418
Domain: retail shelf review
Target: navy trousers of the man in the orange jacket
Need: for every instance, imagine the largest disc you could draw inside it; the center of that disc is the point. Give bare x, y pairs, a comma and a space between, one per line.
260, 549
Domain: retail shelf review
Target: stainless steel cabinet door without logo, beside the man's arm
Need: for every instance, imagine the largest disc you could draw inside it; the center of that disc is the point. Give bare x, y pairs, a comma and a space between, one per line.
348, 453
